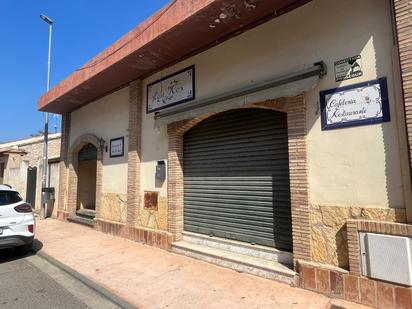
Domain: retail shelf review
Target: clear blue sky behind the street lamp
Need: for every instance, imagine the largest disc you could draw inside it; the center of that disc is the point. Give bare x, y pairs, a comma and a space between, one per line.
81, 29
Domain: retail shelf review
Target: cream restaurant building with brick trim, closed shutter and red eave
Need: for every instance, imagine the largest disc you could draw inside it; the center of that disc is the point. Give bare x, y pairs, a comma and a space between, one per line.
283, 126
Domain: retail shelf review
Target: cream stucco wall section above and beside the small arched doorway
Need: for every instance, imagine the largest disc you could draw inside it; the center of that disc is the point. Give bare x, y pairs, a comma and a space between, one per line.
108, 118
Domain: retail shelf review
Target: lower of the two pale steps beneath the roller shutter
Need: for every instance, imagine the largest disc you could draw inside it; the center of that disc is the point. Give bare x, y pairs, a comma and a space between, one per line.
239, 262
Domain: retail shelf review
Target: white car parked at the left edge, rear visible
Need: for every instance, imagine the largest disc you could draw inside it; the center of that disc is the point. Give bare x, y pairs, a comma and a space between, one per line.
17, 221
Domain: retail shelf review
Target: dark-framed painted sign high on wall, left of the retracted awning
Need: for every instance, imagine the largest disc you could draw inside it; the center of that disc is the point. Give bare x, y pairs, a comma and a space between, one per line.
171, 90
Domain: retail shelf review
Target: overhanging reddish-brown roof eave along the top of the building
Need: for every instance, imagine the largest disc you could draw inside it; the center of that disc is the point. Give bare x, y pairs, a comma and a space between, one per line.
179, 30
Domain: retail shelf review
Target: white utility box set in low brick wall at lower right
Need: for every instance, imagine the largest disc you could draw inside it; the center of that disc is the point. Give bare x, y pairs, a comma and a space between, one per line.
386, 257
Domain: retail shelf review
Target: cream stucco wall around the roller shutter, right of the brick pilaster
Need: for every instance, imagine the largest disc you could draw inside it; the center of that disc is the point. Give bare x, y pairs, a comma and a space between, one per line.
352, 167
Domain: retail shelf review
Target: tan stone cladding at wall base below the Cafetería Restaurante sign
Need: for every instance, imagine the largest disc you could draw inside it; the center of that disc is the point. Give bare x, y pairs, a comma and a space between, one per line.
328, 227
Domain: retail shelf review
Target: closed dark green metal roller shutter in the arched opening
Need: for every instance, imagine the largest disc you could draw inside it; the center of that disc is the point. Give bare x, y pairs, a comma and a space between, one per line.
236, 178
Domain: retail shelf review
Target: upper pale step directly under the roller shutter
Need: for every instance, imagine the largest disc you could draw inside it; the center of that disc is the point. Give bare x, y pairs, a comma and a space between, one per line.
257, 251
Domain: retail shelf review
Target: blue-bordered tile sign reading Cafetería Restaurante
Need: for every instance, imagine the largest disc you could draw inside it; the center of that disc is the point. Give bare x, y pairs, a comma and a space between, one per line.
355, 105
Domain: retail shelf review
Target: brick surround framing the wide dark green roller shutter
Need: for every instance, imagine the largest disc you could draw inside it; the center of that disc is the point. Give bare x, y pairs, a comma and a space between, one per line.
296, 115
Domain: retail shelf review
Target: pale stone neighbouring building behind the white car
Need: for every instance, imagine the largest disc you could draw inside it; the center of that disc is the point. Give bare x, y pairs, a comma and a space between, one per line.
21, 166
